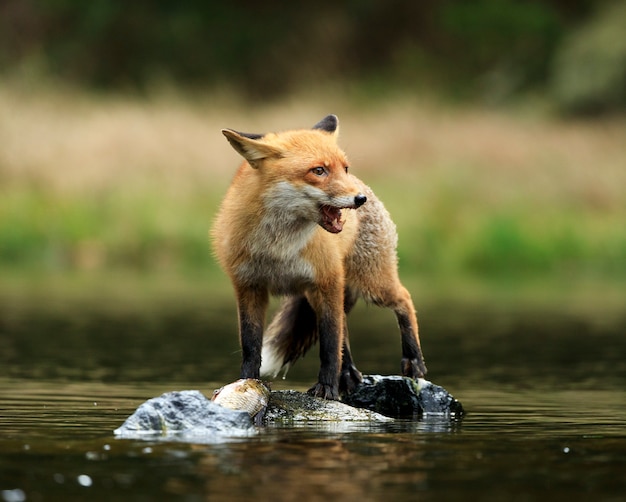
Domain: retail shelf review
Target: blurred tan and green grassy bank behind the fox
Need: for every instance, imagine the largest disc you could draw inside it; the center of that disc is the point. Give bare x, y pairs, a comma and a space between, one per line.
97, 183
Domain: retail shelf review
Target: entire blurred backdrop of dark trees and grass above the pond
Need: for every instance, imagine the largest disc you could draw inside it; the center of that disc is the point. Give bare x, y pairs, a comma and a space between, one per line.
494, 131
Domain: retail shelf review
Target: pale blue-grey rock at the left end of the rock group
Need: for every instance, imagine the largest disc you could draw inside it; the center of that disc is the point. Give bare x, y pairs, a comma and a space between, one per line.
185, 415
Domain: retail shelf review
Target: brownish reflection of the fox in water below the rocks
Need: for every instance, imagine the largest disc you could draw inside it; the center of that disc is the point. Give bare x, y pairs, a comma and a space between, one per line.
314, 469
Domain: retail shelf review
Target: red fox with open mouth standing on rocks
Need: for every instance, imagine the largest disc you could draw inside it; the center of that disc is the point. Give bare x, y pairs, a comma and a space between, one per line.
296, 223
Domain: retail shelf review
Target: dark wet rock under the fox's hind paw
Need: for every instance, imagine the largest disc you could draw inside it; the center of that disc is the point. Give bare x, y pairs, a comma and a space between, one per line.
403, 397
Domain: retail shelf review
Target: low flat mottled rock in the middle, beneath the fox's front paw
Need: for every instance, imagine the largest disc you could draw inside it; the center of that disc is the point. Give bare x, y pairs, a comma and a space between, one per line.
294, 406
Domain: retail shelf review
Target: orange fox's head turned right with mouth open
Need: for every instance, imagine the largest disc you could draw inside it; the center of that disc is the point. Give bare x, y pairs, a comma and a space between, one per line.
303, 172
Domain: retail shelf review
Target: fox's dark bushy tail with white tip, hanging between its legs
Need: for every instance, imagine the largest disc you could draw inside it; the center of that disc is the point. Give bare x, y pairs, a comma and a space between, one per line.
292, 332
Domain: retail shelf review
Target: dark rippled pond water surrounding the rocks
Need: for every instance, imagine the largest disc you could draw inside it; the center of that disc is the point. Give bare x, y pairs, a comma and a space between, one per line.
543, 390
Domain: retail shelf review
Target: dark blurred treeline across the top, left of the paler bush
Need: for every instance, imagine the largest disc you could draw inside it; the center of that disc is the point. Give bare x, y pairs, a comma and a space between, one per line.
270, 47
